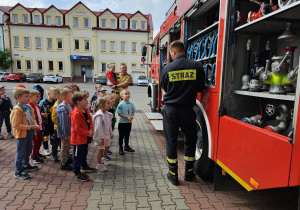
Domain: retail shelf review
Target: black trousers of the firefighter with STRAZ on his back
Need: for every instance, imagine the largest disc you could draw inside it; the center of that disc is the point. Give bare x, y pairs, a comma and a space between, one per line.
176, 116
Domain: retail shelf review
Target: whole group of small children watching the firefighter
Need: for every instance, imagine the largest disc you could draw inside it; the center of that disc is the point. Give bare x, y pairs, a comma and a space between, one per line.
65, 119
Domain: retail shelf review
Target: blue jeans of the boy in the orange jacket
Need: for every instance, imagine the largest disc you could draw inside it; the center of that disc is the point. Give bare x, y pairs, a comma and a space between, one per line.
24, 149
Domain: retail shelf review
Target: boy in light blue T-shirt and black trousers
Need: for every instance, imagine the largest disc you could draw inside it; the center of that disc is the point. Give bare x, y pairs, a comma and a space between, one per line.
125, 111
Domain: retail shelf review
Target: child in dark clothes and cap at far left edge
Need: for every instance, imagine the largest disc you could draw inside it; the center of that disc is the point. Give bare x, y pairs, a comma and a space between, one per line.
5, 107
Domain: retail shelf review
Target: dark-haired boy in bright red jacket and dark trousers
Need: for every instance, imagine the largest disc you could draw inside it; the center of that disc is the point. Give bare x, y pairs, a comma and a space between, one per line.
81, 135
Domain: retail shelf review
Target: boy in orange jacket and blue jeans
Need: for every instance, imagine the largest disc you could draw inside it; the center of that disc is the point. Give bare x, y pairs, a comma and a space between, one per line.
23, 121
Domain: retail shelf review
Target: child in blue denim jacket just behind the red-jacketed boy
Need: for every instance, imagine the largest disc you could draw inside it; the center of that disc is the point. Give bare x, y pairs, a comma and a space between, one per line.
64, 128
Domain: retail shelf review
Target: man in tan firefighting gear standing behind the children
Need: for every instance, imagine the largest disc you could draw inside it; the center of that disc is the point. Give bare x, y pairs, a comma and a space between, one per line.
123, 79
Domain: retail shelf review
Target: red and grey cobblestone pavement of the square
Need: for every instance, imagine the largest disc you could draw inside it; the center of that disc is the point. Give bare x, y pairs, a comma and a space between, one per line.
134, 181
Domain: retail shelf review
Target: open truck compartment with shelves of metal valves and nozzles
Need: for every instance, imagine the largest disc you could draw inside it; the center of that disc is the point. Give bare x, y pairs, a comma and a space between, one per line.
248, 98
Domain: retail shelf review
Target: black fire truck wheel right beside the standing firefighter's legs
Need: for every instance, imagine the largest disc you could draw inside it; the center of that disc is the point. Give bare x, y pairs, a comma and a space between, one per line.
203, 166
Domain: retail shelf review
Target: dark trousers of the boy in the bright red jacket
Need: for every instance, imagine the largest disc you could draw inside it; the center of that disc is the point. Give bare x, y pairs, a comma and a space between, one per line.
79, 159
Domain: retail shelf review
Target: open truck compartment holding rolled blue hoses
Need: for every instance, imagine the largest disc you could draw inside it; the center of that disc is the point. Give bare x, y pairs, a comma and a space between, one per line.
201, 37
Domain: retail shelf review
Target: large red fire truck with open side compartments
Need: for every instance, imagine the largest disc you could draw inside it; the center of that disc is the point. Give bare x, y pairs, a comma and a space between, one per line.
247, 116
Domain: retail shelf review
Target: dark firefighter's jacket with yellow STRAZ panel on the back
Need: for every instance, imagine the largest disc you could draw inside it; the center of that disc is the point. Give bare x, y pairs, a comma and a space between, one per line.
181, 80
